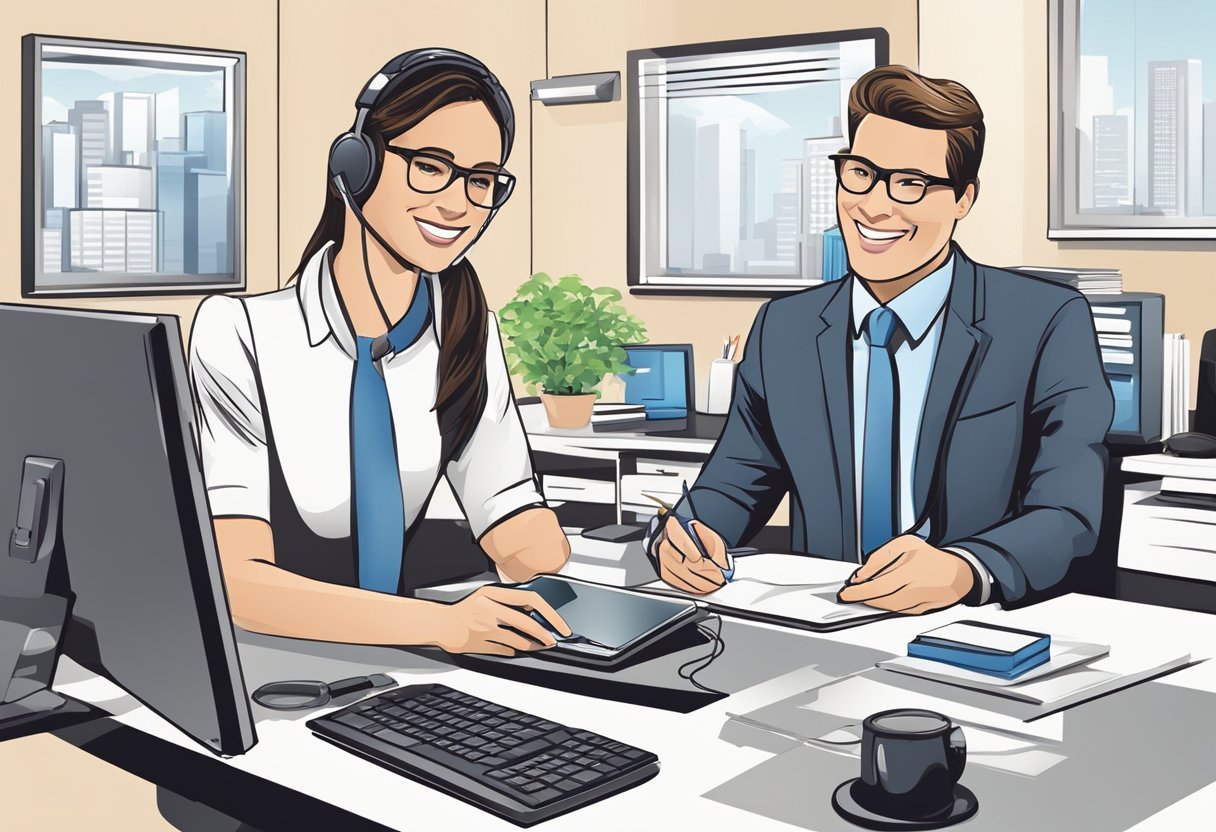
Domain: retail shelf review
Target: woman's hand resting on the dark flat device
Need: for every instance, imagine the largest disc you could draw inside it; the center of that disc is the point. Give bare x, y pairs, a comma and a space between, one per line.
496, 621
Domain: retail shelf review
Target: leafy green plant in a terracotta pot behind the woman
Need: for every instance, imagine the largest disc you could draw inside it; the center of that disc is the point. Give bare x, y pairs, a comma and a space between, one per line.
565, 338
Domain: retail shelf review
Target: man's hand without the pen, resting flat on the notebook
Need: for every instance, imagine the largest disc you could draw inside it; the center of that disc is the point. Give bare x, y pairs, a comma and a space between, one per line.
911, 577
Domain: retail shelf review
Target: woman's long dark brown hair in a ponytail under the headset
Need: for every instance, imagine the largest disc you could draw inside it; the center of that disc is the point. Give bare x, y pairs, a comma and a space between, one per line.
463, 389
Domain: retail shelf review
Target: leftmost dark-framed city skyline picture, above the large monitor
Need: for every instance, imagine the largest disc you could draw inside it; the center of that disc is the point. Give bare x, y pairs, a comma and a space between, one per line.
133, 168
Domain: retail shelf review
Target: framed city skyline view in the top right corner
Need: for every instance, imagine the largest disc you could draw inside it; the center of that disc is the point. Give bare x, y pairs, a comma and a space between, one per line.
1131, 120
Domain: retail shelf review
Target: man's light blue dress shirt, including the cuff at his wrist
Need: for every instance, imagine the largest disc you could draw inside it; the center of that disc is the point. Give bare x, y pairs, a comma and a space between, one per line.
921, 311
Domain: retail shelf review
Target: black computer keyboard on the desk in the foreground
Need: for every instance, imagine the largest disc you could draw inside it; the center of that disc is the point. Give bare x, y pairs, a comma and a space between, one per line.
514, 764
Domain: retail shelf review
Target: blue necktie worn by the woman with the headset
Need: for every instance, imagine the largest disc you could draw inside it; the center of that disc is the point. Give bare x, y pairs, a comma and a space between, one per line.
380, 513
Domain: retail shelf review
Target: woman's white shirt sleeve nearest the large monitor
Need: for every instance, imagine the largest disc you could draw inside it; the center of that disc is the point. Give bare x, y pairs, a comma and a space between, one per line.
232, 426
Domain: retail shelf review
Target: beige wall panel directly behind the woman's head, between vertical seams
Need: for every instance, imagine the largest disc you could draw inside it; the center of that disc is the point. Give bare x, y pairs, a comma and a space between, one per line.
328, 59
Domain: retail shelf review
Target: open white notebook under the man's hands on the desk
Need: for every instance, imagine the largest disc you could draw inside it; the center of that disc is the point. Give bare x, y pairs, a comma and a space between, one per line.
795, 591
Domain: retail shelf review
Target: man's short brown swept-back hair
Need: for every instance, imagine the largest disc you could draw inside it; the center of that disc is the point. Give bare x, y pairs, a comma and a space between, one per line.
934, 104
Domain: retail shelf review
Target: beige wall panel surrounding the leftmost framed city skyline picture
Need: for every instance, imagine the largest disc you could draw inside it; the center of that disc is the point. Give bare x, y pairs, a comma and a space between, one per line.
244, 26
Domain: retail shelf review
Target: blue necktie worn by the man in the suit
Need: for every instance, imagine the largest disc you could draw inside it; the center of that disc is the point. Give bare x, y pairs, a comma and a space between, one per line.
879, 462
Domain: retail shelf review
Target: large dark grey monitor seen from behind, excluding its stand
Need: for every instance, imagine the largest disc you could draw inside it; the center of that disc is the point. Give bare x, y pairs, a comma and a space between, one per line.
108, 395
